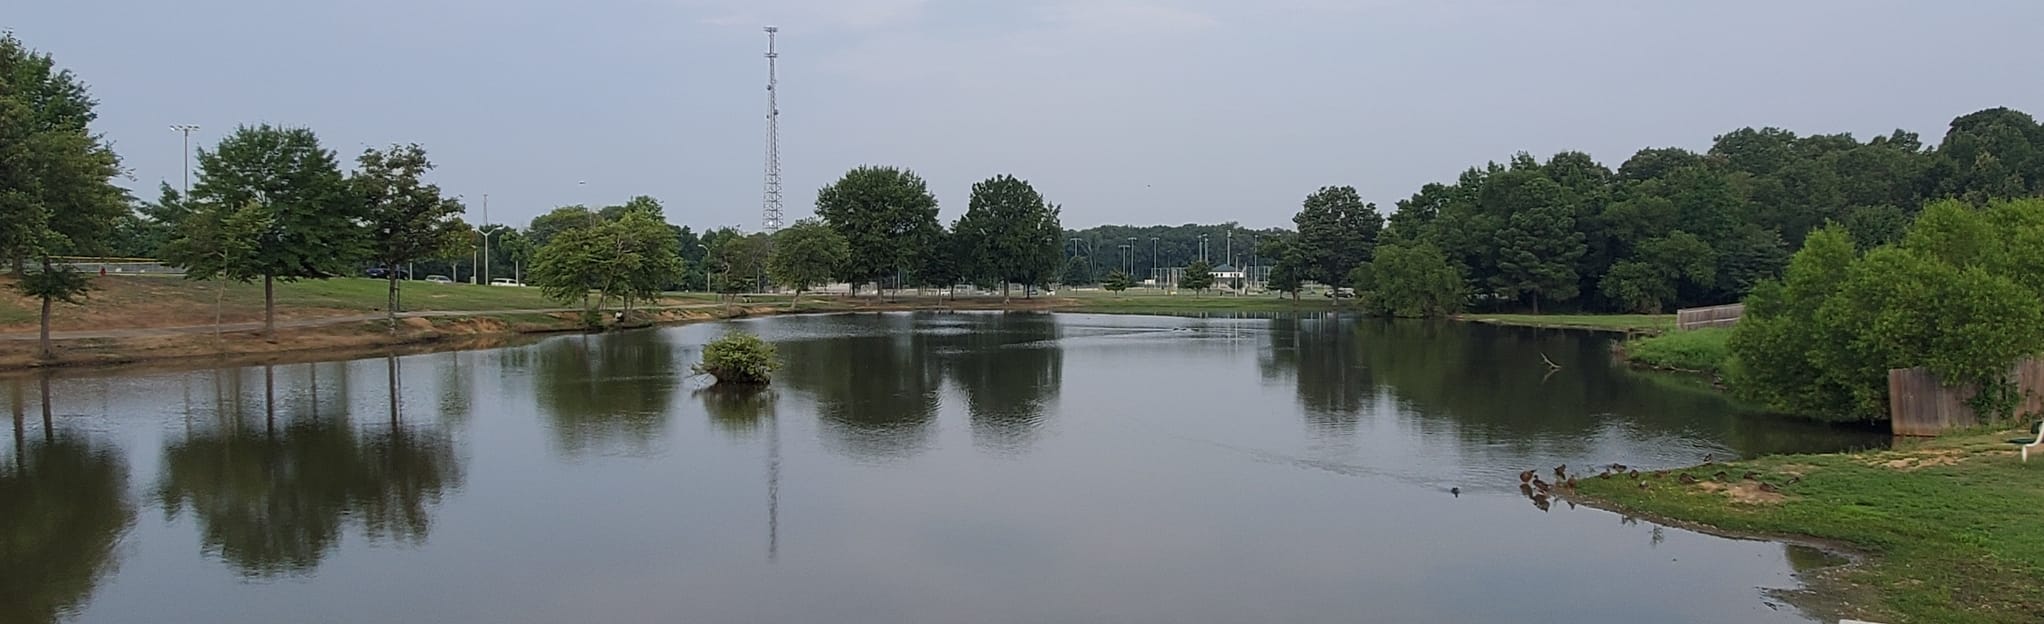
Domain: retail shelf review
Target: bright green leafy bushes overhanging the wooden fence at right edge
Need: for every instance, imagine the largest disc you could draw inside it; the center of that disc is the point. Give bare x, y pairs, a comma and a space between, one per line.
1961, 294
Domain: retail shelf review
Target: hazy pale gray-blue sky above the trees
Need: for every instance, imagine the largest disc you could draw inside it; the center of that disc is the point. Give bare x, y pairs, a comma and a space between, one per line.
1125, 112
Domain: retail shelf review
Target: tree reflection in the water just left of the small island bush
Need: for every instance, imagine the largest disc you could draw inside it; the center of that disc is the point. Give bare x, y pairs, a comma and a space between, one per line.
606, 396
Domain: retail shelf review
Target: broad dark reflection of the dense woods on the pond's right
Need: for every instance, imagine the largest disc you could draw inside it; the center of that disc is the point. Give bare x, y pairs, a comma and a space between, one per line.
1493, 386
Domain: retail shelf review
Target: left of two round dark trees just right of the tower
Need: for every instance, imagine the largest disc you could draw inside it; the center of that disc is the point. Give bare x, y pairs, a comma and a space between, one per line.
886, 216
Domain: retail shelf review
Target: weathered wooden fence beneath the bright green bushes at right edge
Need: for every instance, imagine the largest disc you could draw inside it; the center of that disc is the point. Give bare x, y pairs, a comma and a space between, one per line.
1920, 406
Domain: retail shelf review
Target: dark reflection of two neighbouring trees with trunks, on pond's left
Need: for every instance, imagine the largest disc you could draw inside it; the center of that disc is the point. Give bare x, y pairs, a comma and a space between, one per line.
275, 496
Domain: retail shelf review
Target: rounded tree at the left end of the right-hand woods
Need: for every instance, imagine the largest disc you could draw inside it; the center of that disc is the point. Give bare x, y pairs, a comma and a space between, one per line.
1336, 234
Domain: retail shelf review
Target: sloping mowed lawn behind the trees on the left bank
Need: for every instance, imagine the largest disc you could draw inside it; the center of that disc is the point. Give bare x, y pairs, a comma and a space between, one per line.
169, 302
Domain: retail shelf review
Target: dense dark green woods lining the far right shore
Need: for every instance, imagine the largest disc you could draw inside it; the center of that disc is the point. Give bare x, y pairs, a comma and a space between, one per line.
1669, 228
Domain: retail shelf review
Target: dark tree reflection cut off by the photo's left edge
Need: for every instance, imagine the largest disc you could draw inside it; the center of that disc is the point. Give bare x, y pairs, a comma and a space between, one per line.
64, 508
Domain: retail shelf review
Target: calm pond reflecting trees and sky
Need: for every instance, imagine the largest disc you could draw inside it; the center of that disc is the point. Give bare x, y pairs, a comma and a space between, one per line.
904, 467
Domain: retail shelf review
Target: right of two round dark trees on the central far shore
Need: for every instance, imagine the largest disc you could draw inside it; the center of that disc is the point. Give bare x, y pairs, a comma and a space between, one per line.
1011, 234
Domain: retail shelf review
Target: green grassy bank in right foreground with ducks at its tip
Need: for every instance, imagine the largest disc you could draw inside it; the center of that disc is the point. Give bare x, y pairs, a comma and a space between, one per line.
1951, 527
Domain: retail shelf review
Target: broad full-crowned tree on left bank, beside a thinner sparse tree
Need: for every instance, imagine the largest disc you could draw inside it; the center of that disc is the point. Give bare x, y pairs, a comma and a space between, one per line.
314, 224
